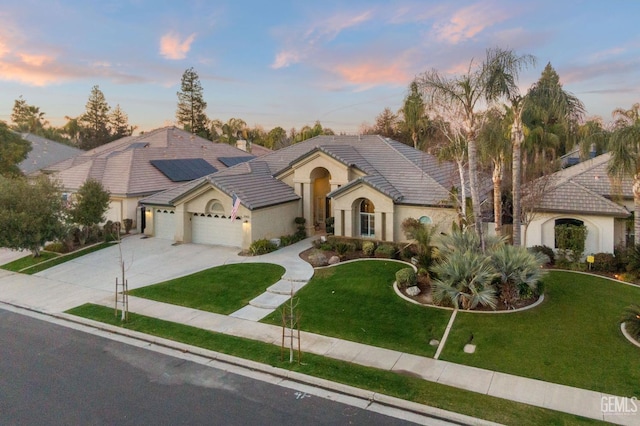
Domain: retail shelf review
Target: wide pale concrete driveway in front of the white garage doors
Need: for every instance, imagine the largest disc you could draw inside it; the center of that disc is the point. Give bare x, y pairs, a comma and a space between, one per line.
147, 261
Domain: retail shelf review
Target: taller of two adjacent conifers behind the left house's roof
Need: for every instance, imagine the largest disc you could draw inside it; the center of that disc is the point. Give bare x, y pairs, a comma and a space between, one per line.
95, 121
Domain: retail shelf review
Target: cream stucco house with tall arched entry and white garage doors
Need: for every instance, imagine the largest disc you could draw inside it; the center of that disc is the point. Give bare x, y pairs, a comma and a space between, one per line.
368, 184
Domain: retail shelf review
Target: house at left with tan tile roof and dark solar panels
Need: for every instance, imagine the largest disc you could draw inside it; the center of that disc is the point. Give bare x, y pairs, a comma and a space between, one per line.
135, 167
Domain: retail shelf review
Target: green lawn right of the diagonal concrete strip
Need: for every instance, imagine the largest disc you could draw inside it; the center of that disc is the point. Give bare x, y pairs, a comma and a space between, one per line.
573, 338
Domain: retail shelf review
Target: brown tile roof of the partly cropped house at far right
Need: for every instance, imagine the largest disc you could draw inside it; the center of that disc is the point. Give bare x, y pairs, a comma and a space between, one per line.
585, 188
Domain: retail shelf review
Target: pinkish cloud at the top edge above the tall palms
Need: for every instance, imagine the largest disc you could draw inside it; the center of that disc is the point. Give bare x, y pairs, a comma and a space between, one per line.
468, 22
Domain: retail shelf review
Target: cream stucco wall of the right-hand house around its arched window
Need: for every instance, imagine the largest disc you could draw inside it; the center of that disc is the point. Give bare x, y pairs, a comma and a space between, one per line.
601, 236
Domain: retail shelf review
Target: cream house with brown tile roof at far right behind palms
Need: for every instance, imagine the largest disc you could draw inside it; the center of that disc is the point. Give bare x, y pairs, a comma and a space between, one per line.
582, 194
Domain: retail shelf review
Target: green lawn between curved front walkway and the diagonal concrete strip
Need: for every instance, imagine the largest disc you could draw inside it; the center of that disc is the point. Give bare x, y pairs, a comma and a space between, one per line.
356, 301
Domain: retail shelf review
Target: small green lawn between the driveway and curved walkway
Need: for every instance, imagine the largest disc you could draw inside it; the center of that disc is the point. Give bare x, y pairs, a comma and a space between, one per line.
223, 289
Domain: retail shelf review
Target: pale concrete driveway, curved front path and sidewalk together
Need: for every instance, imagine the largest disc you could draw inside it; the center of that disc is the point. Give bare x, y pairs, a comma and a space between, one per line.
54, 291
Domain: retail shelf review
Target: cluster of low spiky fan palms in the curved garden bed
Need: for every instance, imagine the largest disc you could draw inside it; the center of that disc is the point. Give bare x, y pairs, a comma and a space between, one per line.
468, 277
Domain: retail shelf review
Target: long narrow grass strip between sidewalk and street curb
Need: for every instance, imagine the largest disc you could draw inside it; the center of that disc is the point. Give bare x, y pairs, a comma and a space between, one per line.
389, 383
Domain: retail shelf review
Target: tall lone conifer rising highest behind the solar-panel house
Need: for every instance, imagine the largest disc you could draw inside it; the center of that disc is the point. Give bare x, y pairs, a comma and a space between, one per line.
191, 105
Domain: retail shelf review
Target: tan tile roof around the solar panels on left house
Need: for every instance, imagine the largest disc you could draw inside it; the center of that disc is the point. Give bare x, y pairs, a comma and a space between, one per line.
124, 166
